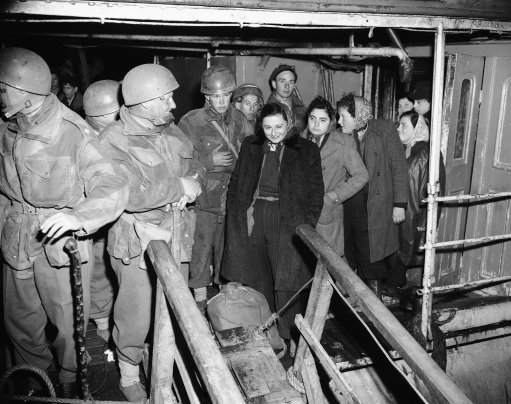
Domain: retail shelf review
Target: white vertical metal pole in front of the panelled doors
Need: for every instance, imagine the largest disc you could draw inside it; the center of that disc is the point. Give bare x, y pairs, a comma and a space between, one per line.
433, 183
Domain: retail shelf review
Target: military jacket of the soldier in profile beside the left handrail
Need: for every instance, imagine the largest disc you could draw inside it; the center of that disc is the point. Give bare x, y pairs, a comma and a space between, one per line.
153, 159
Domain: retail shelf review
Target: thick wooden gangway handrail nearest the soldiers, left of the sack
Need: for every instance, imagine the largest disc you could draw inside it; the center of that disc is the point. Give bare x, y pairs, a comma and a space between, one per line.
212, 366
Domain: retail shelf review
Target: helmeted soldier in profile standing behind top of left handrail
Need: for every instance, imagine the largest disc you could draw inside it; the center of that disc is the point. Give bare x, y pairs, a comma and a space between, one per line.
159, 161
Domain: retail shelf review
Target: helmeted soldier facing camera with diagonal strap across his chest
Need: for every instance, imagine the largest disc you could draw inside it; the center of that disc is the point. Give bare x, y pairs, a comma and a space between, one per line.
216, 131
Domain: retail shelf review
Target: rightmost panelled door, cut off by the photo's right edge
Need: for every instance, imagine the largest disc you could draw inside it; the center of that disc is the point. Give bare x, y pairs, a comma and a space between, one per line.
492, 173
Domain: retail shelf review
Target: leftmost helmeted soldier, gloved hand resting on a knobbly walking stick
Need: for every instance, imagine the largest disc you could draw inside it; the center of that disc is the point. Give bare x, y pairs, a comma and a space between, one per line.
57, 182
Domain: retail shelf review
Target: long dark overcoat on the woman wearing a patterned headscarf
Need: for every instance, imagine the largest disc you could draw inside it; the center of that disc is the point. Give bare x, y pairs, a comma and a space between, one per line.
388, 186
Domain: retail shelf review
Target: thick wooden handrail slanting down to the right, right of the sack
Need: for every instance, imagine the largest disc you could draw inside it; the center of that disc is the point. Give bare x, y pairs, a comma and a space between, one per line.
440, 386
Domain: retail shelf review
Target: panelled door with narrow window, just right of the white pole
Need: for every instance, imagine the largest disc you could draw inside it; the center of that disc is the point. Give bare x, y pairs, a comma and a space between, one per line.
463, 80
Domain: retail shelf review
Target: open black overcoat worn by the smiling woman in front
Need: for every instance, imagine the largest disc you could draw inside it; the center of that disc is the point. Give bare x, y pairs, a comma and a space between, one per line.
301, 192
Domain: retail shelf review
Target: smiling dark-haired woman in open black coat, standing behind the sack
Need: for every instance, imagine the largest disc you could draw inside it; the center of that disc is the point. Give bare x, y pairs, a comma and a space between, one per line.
277, 185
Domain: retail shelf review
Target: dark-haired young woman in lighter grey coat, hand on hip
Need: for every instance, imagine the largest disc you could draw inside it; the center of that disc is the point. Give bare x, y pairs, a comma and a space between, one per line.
344, 173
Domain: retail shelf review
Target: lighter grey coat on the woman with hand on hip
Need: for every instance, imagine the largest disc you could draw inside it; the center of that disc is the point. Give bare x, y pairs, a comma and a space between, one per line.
344, 174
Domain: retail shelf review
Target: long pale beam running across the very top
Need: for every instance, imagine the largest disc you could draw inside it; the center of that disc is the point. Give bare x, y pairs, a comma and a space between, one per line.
285, 14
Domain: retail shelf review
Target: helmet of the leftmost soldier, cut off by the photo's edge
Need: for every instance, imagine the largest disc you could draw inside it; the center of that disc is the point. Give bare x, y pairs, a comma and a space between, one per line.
25, 70
